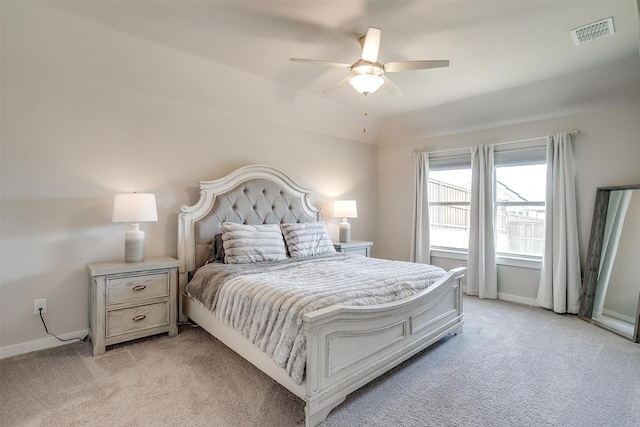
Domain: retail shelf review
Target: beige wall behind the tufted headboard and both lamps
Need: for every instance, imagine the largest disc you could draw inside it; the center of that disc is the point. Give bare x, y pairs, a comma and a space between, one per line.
88, 112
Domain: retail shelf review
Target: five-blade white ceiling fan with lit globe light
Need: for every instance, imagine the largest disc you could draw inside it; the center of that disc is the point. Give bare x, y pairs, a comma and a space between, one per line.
367, 74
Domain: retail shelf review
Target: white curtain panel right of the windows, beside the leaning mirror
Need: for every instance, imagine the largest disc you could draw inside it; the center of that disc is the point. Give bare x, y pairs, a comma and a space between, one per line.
560, 277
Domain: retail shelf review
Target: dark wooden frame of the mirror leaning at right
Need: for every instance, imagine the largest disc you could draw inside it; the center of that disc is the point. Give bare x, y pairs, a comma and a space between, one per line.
592, 266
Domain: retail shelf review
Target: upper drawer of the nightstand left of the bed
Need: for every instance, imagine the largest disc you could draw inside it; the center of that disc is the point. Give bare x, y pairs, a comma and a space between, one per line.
135, 288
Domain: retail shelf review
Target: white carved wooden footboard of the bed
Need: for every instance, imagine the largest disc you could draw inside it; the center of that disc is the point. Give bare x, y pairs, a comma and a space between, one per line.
347, 347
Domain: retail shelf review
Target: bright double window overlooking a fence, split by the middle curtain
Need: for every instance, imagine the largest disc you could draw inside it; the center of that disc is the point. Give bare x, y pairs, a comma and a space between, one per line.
520, 176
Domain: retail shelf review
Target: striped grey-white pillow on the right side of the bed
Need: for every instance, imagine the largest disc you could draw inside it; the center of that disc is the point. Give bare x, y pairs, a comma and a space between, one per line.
307, 239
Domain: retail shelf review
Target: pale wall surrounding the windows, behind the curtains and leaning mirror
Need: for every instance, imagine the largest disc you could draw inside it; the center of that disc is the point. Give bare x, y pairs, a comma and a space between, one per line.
607, 152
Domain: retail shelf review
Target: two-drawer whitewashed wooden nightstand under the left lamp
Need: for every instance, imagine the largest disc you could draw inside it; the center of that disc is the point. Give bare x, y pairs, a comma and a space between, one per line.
132, 300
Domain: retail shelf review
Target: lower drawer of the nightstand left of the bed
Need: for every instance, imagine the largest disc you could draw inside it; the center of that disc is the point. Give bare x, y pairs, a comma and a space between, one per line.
137, 318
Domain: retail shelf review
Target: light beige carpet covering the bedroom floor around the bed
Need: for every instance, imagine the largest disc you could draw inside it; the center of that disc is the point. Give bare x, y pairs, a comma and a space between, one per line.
513, 366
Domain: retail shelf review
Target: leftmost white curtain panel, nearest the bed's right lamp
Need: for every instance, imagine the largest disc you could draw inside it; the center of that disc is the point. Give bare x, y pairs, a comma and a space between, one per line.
420, 223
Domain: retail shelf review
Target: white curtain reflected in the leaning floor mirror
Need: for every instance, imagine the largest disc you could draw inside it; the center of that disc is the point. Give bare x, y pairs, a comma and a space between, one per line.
616, 212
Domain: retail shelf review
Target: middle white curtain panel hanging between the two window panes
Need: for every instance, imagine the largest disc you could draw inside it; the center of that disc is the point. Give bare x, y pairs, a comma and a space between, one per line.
481, 266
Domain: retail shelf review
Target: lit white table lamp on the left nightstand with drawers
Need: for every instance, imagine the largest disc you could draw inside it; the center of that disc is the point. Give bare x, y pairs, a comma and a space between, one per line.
134, 208
